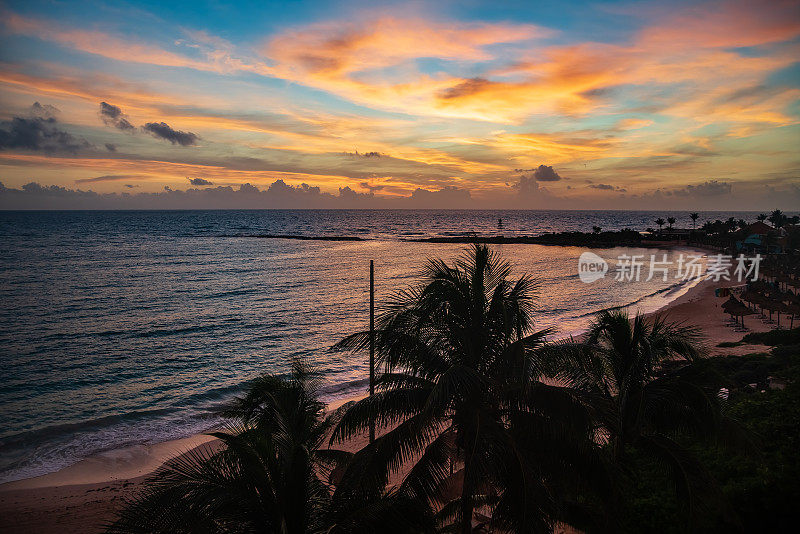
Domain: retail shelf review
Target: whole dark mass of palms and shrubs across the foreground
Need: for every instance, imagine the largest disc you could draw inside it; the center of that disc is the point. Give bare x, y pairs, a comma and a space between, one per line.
486, 425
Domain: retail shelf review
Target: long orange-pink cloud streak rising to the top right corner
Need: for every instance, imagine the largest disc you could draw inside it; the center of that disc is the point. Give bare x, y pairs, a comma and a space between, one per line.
690, 48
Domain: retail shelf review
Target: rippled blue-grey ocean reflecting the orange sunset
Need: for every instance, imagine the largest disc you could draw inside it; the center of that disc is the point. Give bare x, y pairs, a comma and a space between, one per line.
118, 328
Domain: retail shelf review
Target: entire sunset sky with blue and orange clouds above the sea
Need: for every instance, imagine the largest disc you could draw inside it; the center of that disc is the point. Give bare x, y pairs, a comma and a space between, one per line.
440, 104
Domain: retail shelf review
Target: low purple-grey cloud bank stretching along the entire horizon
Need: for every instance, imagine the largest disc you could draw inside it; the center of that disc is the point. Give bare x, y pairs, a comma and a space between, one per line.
524, 195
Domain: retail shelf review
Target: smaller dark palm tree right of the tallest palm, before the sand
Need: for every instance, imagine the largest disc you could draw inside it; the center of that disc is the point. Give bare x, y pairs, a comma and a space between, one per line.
621, 361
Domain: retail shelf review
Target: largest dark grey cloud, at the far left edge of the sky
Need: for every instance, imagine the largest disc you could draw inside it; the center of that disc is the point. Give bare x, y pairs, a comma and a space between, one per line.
38, 134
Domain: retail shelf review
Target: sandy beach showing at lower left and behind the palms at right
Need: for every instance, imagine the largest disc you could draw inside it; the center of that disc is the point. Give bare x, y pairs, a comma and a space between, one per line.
82, 498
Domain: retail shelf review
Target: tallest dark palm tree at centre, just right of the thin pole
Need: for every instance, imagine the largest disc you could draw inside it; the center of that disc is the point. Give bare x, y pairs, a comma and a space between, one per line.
461, 391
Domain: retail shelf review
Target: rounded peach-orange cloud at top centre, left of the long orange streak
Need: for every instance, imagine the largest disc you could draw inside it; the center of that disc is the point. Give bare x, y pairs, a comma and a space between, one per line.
371, 61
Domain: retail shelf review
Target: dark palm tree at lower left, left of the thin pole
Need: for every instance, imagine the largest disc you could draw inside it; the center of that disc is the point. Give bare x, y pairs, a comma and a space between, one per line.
272, 474
